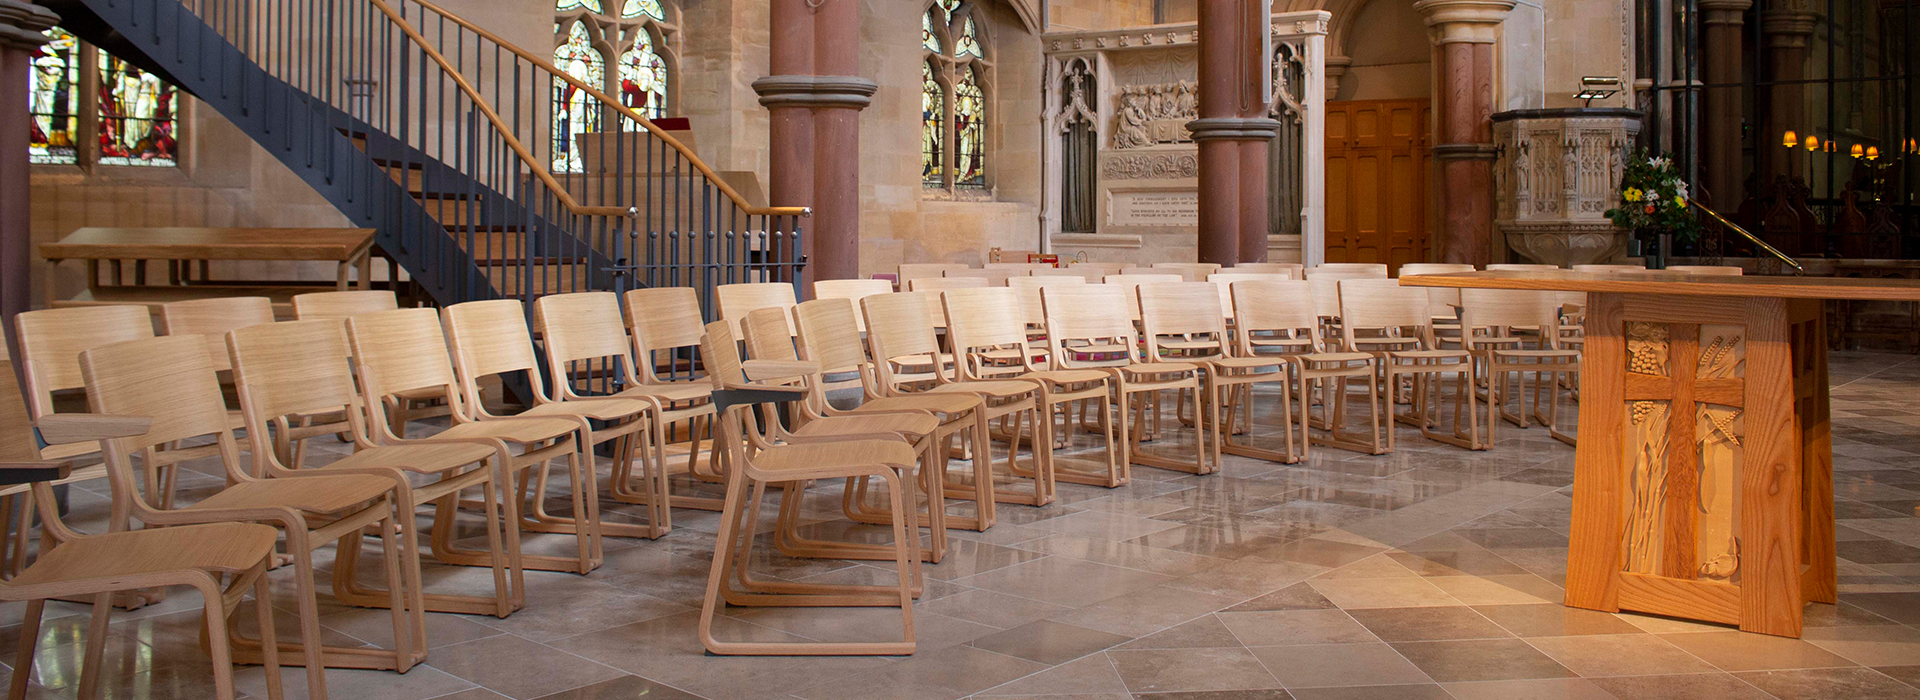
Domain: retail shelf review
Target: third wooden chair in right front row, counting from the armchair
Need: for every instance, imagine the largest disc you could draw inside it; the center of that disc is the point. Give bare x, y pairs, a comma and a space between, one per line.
830, 342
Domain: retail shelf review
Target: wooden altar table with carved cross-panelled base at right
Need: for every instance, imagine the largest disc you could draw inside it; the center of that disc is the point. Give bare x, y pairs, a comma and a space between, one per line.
1704, 480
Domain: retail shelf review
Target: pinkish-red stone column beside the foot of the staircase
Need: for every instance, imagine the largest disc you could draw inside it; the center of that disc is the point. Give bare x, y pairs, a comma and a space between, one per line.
815, 99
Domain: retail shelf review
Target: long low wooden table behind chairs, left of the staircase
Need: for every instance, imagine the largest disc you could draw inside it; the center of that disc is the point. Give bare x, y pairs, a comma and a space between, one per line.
347, 248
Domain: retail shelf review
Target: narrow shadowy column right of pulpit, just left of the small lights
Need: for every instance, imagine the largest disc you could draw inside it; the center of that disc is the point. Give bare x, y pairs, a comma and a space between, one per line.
1723, 47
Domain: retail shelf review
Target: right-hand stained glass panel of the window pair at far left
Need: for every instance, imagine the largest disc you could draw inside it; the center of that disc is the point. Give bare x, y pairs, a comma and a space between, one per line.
135, 116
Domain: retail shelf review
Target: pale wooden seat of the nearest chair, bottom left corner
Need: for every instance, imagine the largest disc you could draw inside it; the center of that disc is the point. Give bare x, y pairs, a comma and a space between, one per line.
226, 548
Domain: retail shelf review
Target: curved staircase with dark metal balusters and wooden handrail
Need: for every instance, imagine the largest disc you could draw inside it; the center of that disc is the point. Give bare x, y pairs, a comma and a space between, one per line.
441, 137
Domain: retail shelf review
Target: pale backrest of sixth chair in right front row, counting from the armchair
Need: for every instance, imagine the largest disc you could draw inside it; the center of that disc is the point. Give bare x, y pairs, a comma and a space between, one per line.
1090, 315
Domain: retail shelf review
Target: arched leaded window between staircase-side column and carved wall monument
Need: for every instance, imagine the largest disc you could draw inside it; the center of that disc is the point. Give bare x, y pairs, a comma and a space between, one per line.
957, 97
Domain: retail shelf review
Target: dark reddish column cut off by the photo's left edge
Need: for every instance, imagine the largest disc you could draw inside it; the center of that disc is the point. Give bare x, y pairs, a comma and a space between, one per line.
22, 26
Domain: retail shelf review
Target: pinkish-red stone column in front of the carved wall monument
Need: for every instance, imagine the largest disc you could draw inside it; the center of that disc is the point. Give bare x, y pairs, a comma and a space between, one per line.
1234, 131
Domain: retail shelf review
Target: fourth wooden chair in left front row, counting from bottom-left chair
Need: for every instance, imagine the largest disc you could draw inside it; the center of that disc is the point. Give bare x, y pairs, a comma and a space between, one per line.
406, 352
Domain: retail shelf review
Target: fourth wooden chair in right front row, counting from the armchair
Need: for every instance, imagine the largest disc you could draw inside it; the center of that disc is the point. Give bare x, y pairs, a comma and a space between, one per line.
907, 360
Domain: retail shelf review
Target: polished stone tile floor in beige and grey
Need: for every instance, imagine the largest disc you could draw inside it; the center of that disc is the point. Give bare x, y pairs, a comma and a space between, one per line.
1424, 574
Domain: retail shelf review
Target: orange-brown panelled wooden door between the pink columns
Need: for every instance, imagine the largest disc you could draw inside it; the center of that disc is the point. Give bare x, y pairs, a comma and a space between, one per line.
1378, 181
